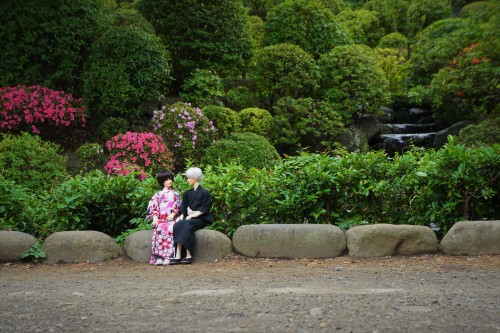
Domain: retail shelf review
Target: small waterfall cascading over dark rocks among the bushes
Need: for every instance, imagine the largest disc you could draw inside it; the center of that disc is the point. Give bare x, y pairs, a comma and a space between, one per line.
412, 126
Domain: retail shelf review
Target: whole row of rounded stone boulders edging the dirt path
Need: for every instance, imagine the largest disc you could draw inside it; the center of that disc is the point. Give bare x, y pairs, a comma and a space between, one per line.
269, 241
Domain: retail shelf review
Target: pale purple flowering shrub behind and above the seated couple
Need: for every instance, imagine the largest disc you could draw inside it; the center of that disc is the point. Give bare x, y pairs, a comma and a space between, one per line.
187, 131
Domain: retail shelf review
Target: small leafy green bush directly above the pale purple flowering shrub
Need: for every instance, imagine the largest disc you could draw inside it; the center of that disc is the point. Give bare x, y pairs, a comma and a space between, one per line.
202, 88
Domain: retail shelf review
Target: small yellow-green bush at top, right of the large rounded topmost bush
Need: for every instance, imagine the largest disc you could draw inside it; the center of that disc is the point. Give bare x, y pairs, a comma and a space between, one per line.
363, 26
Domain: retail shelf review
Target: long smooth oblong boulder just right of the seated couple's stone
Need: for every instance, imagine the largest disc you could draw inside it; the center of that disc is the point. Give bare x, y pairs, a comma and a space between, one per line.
289, 241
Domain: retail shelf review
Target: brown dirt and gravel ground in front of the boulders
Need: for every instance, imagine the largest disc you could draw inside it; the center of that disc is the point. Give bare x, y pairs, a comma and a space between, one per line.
431, 293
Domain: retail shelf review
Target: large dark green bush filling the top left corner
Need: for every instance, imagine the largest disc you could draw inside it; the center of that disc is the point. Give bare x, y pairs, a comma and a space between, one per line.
46, 42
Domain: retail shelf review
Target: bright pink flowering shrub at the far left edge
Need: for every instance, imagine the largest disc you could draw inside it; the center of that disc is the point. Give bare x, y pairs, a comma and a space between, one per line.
22, 105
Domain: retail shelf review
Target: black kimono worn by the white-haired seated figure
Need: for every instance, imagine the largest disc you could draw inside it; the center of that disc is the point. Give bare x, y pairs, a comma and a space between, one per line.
196, 200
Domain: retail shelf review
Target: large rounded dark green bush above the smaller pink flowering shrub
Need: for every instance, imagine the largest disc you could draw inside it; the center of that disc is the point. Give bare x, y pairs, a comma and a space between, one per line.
126, 68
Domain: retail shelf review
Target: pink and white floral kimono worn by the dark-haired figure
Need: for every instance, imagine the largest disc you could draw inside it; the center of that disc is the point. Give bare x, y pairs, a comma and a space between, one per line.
162, 204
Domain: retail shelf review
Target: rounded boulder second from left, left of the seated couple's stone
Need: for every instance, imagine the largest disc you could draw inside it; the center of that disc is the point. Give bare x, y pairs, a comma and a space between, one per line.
80, 246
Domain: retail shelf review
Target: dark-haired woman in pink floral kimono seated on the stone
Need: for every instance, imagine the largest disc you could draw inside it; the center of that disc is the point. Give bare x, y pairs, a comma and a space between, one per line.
163, 209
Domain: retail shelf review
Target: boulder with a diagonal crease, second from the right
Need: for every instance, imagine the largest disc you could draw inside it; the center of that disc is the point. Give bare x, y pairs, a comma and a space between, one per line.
378, 240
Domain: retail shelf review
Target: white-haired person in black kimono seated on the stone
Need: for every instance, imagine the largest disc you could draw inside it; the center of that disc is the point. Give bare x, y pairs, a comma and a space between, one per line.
195, 214
